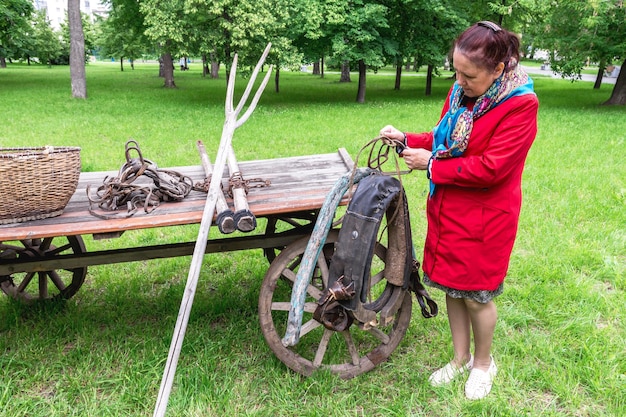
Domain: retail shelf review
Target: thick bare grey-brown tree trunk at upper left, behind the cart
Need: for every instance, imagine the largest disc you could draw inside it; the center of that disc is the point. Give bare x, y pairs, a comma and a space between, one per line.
77, 50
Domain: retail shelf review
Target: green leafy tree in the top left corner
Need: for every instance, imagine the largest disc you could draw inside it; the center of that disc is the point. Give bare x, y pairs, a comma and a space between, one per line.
15, 18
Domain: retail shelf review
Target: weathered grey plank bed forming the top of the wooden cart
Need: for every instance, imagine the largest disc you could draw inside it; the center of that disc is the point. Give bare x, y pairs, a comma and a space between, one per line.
298, 183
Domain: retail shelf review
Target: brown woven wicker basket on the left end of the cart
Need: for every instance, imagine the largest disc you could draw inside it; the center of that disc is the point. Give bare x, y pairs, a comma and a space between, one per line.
36, 183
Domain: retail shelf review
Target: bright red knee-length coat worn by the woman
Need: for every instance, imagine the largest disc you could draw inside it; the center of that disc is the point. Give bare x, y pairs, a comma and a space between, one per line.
474, 212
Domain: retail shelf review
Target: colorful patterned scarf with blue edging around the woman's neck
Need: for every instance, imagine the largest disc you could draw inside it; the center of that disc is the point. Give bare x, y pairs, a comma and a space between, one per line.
452, 133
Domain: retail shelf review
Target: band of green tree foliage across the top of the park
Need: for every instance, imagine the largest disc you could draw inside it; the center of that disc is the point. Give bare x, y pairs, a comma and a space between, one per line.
372, 33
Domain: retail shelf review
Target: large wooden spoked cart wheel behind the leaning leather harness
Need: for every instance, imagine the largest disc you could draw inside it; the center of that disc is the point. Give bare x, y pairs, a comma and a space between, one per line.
348, 353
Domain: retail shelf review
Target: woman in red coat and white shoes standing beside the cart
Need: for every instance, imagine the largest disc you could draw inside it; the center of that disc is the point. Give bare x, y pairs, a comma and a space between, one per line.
474, 159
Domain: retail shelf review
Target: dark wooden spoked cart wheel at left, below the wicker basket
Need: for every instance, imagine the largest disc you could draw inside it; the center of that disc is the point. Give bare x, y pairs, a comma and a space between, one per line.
33, 286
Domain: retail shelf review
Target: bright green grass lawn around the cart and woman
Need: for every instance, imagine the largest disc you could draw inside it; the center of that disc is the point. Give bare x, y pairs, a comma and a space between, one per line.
560, 341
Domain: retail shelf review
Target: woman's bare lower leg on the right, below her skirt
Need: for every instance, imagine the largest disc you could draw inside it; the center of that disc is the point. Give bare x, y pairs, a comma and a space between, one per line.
483, 319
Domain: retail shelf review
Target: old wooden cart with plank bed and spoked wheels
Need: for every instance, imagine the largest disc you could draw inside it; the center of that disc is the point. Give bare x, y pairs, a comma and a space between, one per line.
46, 259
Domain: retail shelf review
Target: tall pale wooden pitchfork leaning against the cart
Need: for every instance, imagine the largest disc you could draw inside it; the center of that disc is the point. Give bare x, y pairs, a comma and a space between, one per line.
231, 123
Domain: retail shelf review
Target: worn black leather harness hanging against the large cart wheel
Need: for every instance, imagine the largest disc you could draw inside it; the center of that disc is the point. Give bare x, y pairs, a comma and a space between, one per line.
376, 195
